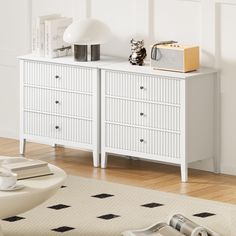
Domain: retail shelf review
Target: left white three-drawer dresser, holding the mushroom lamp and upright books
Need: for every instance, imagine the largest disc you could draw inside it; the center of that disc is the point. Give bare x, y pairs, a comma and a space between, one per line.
60, 102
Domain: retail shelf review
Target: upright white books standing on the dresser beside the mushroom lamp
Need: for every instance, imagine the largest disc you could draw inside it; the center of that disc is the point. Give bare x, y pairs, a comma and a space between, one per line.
47, 36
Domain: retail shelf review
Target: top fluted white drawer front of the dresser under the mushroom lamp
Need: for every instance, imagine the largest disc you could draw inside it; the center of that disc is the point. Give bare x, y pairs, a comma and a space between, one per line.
58, 76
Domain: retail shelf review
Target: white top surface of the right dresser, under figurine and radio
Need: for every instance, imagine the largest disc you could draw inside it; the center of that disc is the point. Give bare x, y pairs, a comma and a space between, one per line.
147, 69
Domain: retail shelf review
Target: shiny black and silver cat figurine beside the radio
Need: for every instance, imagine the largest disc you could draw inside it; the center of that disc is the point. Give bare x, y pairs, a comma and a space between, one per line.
138, 52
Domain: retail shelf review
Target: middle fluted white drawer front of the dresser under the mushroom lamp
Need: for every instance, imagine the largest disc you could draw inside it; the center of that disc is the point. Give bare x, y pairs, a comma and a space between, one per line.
58, 102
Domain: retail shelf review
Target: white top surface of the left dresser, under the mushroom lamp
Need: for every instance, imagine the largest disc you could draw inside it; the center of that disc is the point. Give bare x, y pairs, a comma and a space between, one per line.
105, 60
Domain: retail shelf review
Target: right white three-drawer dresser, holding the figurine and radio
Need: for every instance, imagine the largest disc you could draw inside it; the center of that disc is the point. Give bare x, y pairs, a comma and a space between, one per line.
158, 115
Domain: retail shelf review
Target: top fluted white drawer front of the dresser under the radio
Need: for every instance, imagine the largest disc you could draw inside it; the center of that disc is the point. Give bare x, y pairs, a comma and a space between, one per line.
142, 87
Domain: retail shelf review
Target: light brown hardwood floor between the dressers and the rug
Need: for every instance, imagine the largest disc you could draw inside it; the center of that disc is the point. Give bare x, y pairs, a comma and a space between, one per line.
151, 175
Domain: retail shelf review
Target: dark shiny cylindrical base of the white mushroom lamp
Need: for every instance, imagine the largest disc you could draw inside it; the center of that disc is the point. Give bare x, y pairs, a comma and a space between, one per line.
81, 52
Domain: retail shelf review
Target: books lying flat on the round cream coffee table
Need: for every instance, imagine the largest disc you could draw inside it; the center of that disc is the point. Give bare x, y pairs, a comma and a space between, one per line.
27, 168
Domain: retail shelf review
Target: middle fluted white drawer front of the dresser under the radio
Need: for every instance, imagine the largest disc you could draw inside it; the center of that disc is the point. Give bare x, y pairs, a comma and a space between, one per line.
151, 115
